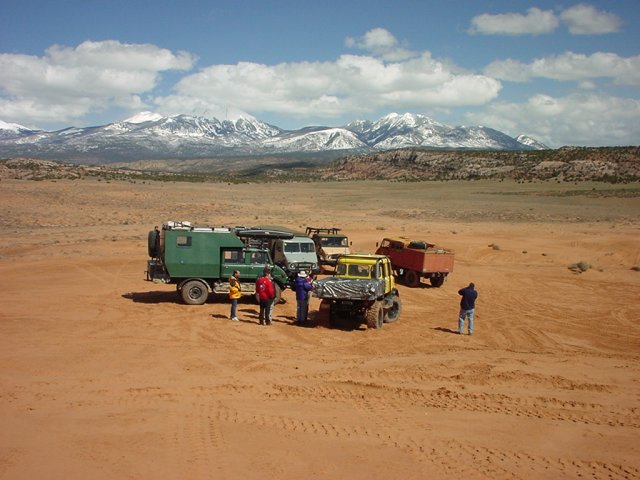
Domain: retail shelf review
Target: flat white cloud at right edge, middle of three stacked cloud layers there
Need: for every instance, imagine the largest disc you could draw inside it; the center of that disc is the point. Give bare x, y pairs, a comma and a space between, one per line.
570, 66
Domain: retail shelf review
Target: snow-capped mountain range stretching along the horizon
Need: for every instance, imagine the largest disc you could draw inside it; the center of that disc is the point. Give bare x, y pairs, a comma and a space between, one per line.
148, 136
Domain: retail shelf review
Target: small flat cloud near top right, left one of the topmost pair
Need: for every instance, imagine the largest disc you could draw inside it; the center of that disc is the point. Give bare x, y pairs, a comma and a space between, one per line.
535, 22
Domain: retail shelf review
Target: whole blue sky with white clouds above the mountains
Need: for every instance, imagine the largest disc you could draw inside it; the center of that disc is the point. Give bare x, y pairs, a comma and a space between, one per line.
563, 73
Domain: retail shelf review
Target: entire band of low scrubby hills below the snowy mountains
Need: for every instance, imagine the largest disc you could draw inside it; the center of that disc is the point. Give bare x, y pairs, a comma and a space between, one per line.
608, 164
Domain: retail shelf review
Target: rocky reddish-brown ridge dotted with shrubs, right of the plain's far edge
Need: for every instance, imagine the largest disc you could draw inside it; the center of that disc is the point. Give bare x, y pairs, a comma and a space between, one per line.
611, 164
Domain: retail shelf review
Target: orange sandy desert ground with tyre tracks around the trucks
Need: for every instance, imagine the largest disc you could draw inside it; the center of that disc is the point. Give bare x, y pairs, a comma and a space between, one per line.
104, 375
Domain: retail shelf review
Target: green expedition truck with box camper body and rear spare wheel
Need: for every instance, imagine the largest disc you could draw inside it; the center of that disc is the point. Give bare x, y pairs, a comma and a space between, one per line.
200, 260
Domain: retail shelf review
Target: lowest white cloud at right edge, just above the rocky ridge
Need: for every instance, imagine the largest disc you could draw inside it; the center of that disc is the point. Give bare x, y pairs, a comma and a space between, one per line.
578, 119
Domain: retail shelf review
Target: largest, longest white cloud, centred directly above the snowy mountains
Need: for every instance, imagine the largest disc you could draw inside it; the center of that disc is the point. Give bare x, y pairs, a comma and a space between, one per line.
350, 85
